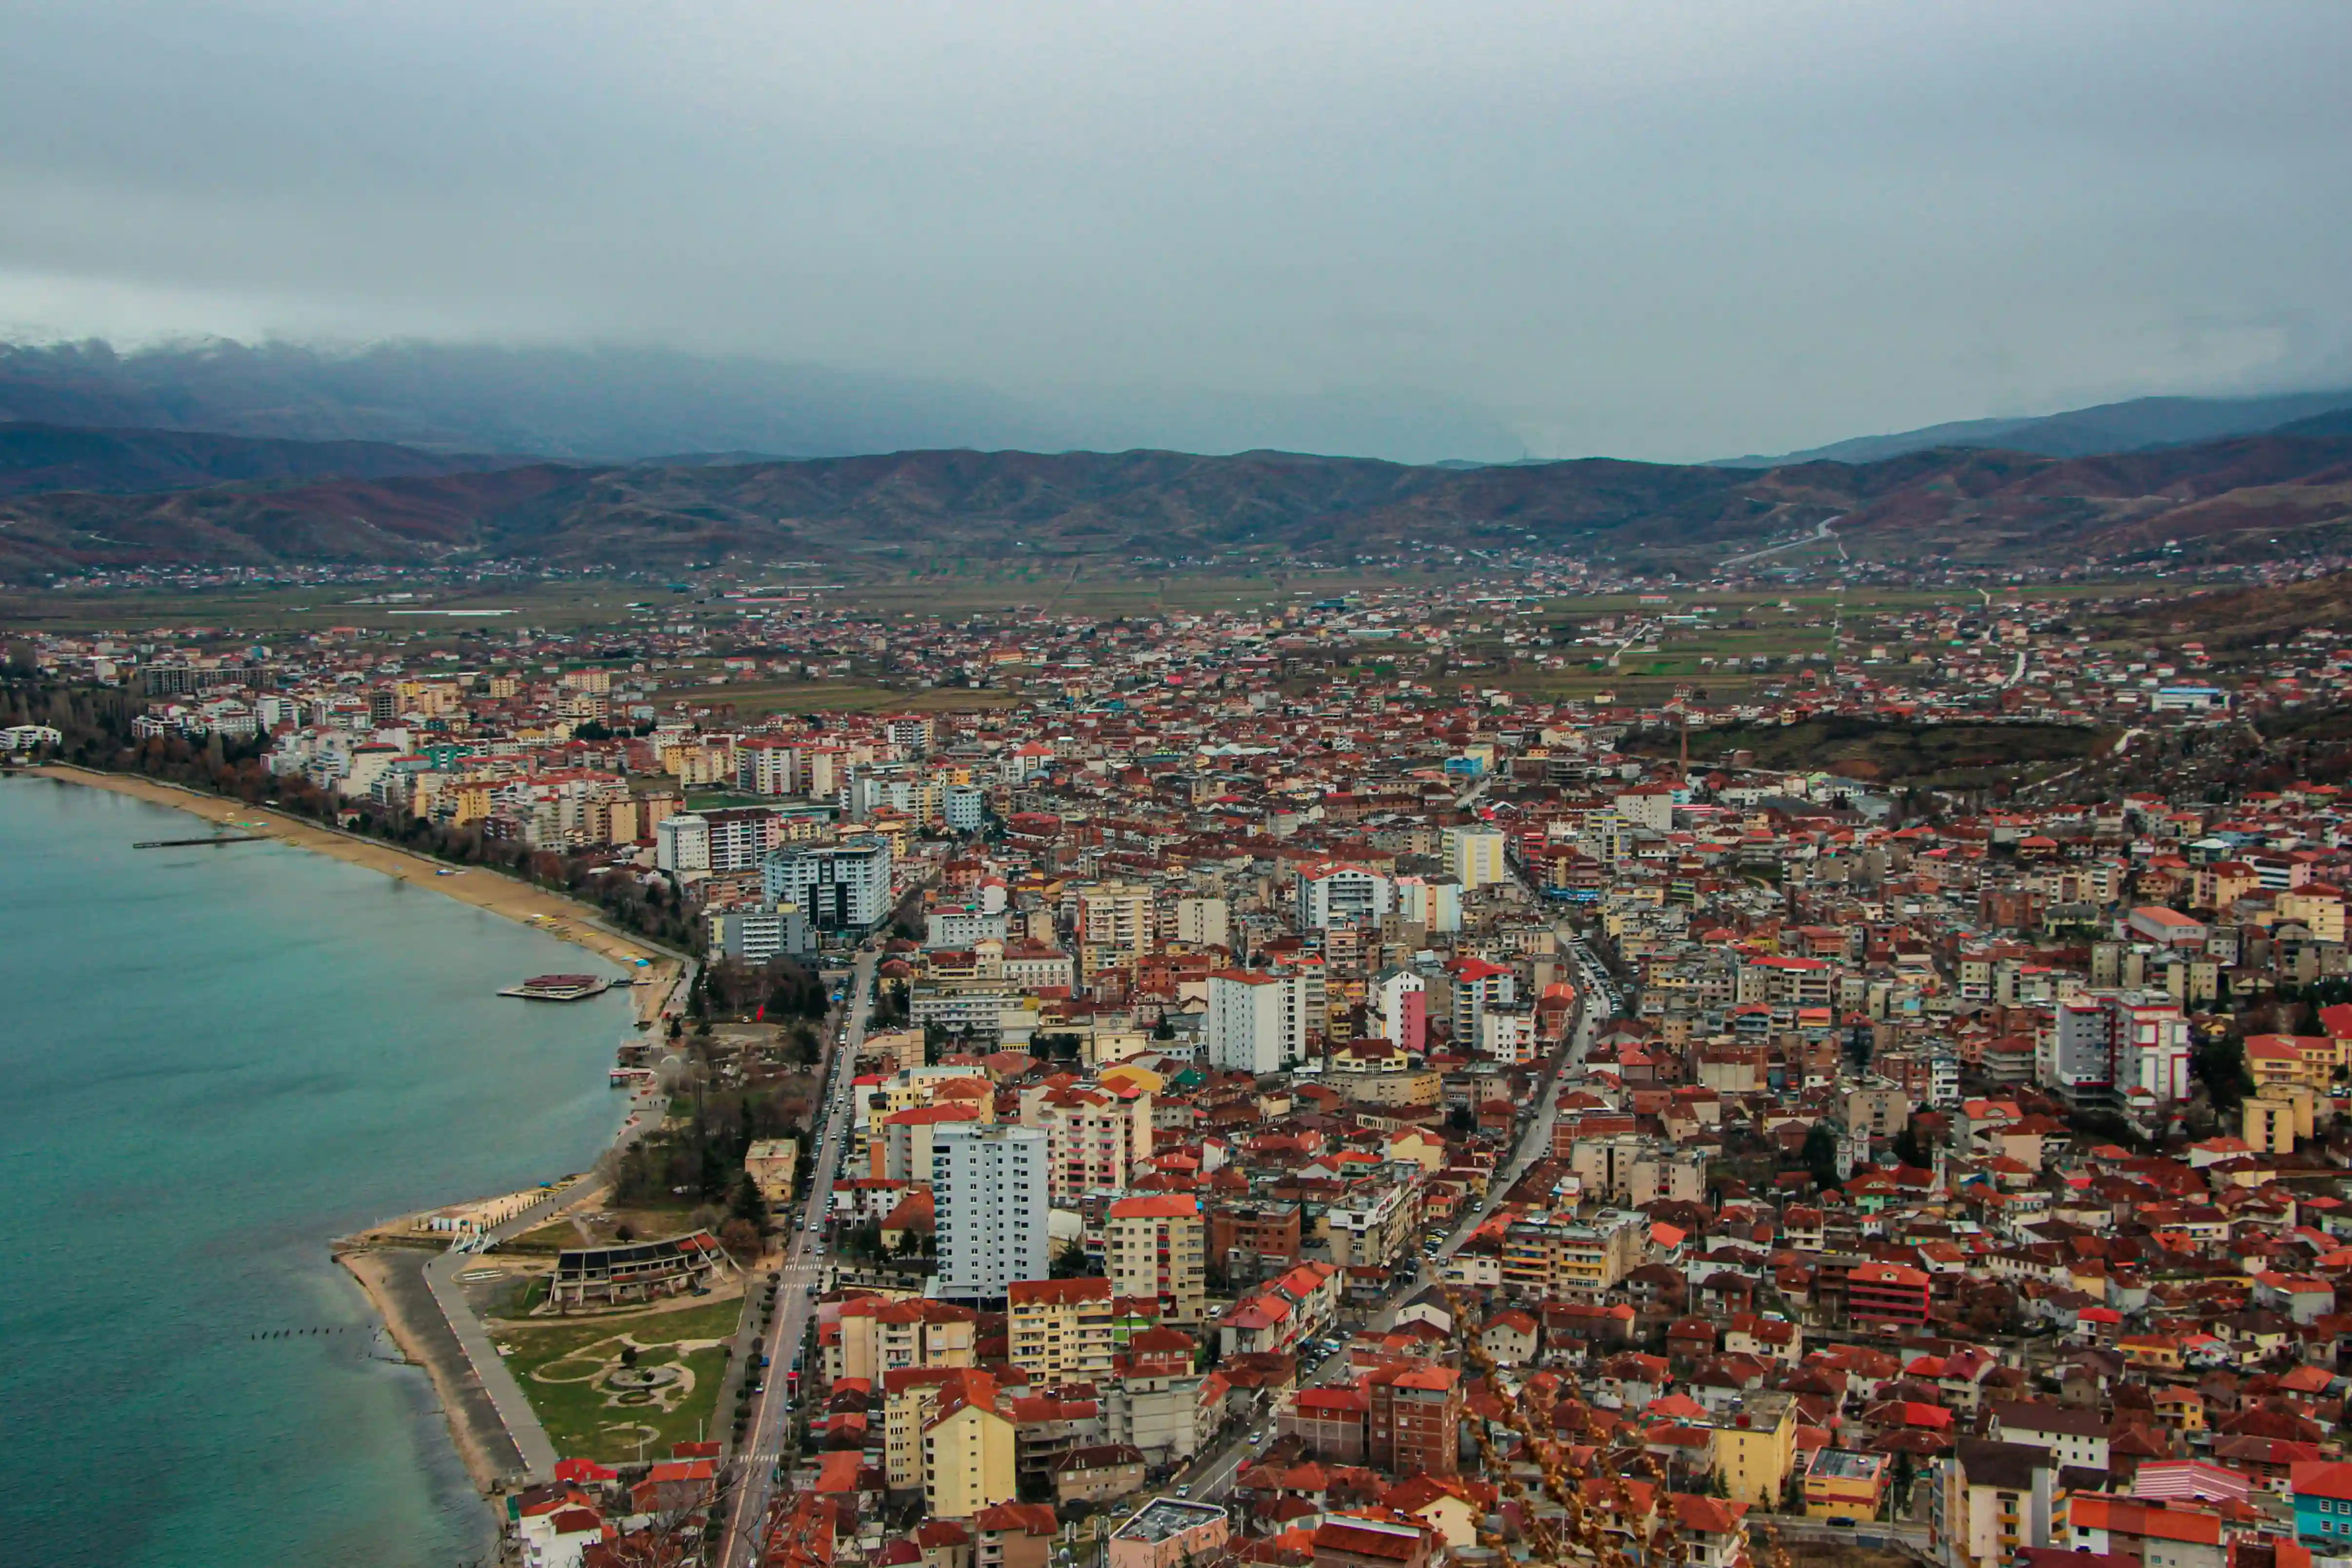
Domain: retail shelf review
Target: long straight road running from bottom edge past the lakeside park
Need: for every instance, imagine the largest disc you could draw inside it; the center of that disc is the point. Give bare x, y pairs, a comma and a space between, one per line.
799, 1278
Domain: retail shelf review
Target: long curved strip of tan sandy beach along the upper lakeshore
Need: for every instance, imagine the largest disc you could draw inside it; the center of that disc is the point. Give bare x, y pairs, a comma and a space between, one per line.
483, 890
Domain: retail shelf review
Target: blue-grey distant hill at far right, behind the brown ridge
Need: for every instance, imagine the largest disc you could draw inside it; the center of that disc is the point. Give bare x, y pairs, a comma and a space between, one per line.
2113, 427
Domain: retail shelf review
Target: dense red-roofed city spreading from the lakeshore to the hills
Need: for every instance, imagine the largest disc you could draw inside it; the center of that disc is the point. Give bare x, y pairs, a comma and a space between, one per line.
1349, 1085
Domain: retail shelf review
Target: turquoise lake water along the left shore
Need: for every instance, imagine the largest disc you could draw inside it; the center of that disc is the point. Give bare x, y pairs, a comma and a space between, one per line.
218, 1061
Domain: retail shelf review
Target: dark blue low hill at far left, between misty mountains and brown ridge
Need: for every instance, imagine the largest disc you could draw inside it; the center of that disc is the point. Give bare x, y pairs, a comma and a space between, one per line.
39, 457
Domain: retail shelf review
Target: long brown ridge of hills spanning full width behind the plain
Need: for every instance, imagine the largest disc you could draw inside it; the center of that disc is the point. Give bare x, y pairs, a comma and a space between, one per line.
2233, 500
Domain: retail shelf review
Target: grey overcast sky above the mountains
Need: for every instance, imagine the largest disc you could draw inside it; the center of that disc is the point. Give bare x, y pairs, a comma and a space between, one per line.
1641, 229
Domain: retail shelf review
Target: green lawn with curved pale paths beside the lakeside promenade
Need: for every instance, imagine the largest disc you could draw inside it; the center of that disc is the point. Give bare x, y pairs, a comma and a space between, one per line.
570, 1374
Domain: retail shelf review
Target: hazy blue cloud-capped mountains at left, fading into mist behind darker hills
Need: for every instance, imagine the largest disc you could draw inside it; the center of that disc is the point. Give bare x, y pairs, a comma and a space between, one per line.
620, 406
